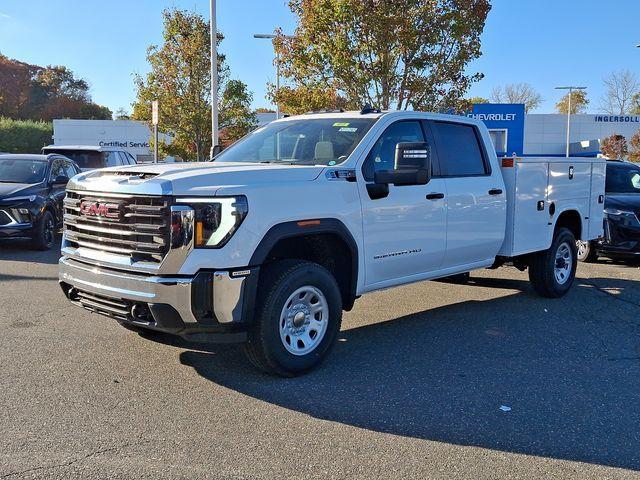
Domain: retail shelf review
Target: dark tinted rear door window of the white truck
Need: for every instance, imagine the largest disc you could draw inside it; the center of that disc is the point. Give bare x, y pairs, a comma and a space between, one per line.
458, 149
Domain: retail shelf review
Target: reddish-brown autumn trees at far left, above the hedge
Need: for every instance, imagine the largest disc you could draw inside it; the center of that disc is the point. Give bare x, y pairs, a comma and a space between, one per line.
44, 93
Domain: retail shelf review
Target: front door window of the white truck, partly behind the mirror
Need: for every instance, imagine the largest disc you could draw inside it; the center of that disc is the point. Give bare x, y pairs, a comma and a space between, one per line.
381, 156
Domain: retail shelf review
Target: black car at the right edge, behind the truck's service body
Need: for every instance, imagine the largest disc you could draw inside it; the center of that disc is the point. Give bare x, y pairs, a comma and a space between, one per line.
621, 238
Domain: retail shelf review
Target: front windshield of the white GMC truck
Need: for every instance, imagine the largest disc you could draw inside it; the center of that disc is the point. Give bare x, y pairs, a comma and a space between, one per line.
300, 142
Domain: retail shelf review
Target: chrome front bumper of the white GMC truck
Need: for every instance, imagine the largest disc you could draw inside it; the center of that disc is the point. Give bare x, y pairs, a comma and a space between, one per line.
210, 306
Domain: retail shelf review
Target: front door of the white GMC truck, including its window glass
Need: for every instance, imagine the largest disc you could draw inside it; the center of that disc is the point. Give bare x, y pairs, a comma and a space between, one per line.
404, 231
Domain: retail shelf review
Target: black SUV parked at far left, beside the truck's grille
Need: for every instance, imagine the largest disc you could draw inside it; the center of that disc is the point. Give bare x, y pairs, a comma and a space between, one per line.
32, 188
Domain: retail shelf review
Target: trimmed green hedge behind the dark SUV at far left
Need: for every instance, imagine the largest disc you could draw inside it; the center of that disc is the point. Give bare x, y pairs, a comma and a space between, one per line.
24, 136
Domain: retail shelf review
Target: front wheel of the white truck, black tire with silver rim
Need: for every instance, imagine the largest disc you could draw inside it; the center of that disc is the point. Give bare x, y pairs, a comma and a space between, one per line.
298, 317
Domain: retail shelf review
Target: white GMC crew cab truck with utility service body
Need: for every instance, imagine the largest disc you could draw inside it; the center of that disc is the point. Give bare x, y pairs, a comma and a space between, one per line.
269, 243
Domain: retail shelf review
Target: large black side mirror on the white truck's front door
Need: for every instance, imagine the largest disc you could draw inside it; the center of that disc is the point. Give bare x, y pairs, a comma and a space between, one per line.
412, 165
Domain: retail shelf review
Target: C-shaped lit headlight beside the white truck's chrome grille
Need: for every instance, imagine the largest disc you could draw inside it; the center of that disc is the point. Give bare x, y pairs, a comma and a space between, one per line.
216, 219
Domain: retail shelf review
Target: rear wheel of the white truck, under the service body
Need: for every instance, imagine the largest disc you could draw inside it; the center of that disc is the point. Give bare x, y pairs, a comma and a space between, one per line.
553, 271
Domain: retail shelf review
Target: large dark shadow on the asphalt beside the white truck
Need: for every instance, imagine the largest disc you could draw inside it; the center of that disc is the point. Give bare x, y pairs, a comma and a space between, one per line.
569, 376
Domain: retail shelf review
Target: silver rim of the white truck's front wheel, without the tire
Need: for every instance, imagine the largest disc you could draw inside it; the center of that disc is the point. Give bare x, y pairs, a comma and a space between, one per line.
303, 320
